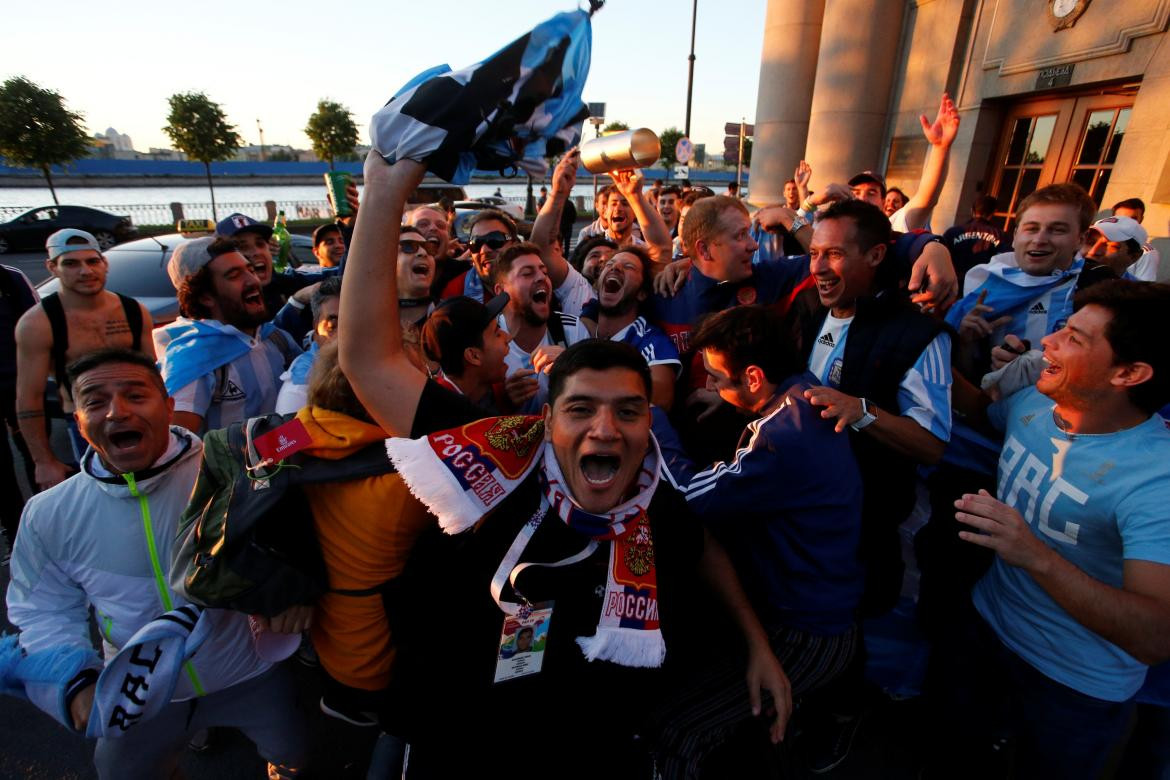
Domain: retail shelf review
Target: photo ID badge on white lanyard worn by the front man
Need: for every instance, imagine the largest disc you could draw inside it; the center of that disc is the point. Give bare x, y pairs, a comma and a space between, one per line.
526, 631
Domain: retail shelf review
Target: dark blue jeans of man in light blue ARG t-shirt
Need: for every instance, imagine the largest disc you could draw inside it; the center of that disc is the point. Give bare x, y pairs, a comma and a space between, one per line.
982, 693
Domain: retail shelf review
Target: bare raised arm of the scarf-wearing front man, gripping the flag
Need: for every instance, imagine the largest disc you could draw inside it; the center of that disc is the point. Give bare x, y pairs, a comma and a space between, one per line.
382, 375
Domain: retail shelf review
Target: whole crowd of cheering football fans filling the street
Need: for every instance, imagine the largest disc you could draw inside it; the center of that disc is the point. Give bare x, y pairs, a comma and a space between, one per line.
612, 498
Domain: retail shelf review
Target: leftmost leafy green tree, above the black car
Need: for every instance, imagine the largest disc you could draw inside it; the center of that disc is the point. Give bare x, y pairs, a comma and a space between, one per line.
37, 130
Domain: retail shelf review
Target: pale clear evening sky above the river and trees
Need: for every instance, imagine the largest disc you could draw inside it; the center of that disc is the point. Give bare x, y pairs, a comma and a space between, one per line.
118, 64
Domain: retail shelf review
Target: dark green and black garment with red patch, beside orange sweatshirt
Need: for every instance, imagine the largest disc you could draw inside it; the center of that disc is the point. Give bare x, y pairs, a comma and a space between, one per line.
246, 540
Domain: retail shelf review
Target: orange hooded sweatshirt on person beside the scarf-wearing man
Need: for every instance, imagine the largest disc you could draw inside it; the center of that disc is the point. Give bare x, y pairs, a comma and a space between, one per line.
367, 529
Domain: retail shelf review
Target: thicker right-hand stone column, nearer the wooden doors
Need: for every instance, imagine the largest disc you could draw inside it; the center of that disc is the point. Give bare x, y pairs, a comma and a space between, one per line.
851, 99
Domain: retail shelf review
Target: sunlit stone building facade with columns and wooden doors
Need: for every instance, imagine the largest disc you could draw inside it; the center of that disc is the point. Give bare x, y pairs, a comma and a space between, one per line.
1049, 91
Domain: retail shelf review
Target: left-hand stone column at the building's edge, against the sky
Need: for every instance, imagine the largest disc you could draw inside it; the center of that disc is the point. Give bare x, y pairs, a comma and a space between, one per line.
788, 68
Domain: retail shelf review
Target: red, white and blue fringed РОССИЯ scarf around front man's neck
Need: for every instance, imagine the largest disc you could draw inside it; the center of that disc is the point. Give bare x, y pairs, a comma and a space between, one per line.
463, 474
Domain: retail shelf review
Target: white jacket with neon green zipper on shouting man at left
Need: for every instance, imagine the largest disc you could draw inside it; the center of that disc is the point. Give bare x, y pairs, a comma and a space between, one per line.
87, 542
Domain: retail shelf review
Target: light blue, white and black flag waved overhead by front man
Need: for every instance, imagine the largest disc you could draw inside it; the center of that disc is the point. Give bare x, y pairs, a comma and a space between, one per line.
507, 113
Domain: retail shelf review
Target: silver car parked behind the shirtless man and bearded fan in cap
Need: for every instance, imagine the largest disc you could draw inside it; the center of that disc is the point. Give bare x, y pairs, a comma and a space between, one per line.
139, 270
